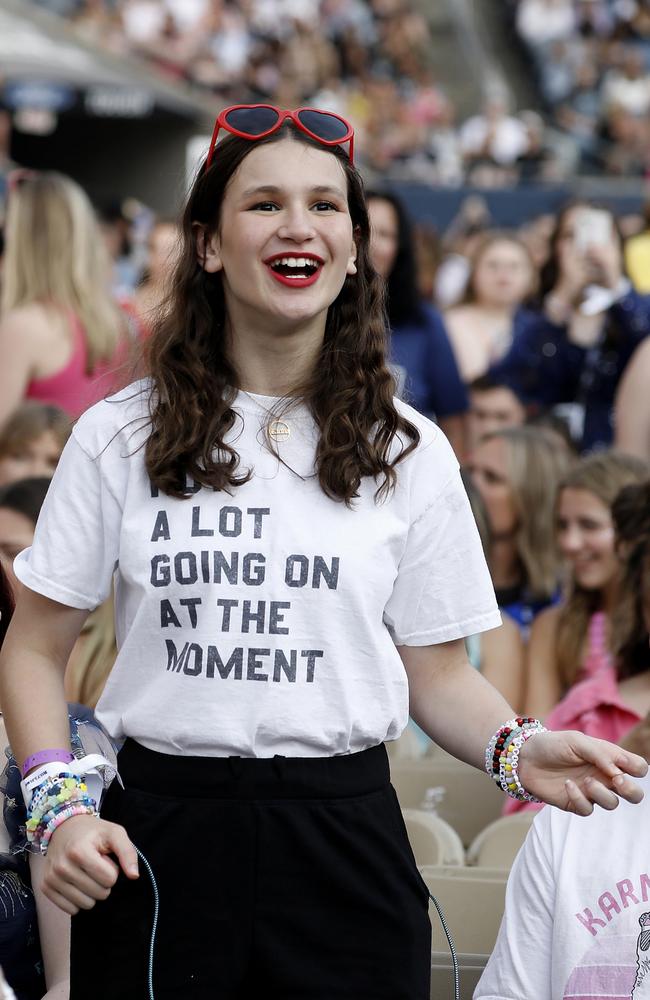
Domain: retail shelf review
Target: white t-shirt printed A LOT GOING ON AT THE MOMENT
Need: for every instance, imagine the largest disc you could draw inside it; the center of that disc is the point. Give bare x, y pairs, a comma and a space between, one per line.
262, 621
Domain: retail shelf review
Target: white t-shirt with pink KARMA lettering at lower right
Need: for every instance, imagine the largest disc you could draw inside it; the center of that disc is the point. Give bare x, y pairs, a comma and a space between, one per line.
577, 918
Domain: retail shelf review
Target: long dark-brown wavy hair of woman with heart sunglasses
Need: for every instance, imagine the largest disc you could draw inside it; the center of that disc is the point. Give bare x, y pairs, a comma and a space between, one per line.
350, 392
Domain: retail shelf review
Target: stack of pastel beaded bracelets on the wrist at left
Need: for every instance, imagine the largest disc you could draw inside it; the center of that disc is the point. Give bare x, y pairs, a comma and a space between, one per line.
58, 798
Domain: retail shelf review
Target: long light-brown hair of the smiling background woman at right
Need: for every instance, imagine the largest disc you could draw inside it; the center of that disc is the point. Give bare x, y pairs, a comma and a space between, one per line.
604, 475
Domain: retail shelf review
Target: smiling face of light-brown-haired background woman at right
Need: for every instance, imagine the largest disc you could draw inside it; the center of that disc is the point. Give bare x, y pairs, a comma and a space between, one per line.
585, 535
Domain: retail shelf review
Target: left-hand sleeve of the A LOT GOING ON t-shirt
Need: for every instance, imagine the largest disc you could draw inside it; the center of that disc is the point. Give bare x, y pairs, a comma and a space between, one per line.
76, 543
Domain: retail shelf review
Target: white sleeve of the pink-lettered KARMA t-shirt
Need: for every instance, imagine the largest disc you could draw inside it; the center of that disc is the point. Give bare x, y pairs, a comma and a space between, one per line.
521, 963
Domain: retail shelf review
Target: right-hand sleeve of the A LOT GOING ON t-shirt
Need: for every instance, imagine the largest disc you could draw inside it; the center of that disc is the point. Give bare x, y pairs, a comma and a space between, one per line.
443, 589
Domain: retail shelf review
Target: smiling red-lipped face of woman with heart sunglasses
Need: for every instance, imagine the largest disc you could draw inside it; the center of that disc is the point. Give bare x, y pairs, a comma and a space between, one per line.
284, 243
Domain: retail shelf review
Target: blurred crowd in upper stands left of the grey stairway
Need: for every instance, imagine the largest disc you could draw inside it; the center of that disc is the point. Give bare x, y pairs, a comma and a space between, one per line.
369, 60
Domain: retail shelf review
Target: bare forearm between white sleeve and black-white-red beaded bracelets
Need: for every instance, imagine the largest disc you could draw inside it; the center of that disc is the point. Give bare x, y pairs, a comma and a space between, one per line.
453, 703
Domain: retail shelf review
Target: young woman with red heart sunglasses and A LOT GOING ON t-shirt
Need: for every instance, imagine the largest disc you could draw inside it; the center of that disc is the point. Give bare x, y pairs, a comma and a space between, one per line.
295, 559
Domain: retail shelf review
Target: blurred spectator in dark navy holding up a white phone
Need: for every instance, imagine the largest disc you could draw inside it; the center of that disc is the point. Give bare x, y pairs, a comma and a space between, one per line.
589, 322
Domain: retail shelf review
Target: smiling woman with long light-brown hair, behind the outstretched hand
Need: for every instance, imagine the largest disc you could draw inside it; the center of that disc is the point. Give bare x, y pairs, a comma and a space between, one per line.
573, 641
